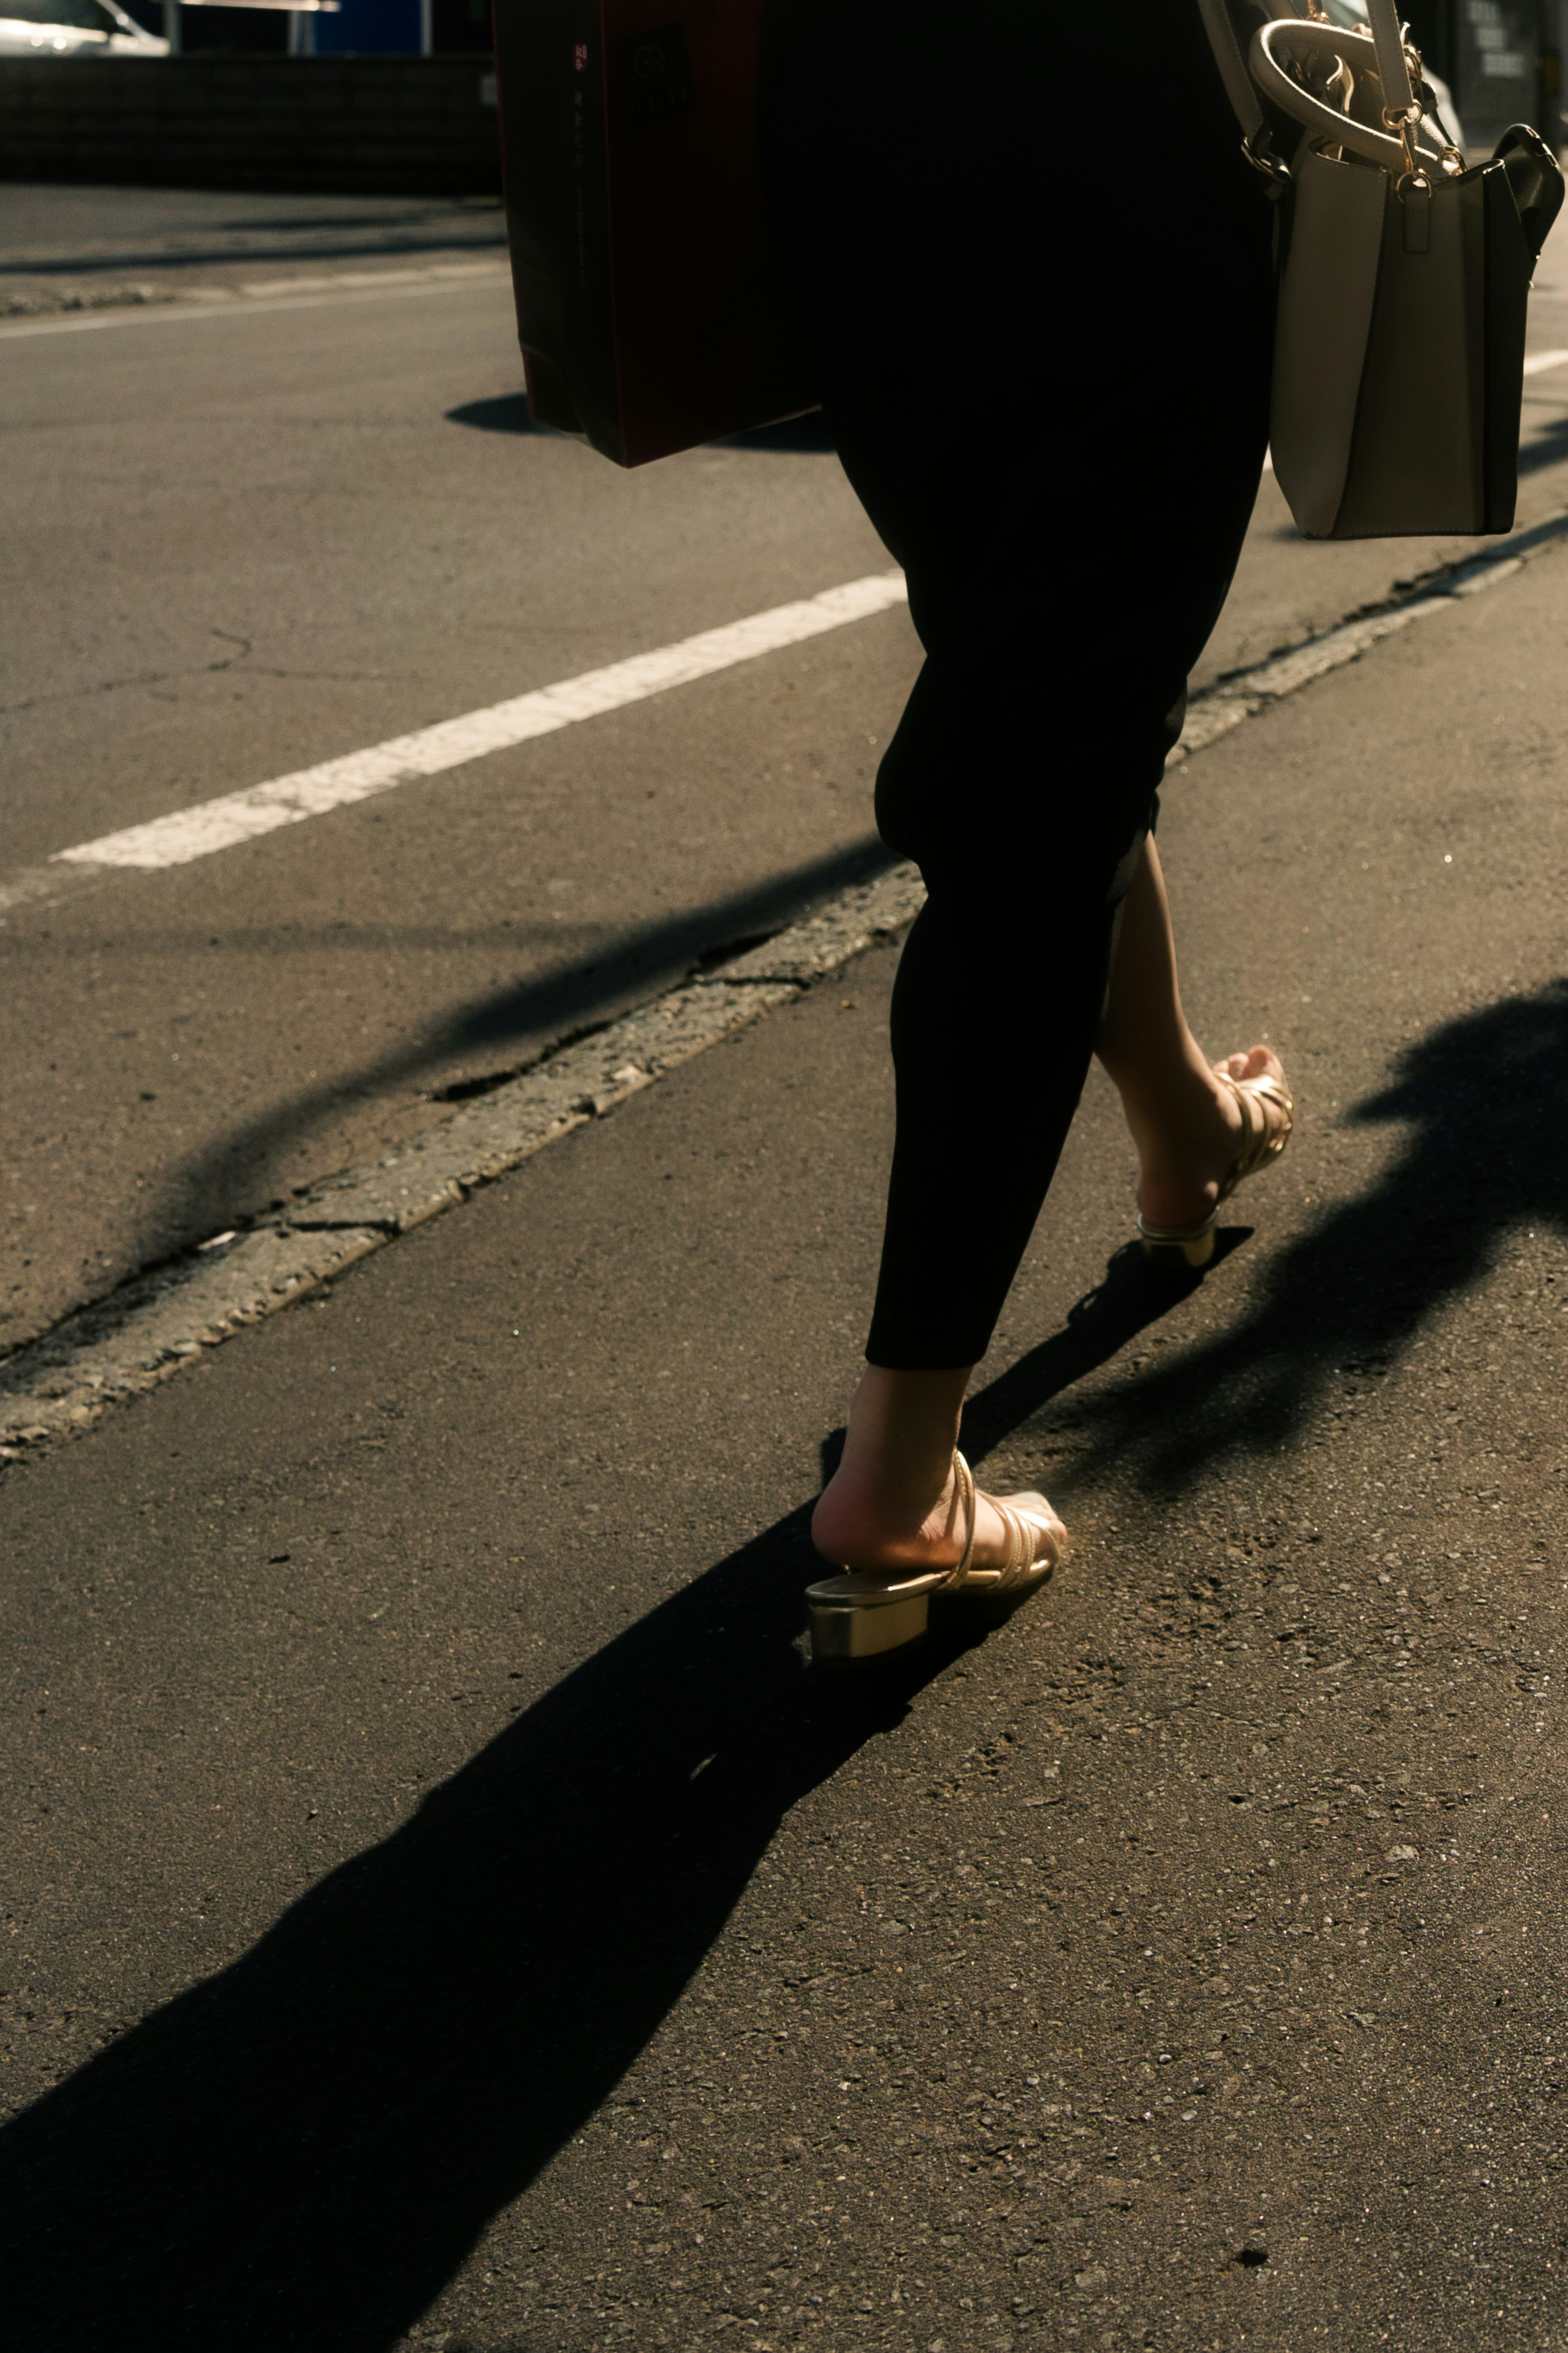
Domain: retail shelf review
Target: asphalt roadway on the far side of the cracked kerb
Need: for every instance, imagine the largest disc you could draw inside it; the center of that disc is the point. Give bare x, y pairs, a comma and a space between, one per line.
248, 542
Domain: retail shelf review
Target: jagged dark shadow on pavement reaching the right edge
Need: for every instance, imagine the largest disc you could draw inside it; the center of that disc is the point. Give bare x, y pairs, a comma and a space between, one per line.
1487, 1102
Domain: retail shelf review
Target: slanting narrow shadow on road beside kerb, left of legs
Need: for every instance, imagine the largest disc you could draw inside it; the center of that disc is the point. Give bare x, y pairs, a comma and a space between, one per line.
217, 1185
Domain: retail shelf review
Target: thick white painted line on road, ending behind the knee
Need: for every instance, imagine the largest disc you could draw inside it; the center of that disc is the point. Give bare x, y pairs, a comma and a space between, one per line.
359, 775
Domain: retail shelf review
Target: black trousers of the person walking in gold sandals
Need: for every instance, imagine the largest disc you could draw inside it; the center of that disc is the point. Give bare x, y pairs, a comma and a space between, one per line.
1033, 274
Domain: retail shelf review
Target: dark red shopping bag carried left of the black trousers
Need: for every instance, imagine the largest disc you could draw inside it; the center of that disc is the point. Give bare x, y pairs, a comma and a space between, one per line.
650, 305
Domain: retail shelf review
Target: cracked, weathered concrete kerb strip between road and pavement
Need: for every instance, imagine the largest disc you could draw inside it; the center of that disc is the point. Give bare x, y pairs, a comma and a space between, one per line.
168, 1319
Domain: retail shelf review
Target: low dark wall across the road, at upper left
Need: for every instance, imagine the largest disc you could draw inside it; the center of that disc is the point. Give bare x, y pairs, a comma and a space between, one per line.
401, 126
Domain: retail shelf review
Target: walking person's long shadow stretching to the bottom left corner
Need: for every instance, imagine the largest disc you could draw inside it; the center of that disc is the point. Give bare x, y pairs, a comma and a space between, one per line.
297, 2154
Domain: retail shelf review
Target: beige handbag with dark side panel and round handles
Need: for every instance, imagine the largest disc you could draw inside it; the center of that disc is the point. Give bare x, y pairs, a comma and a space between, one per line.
1405, 276
